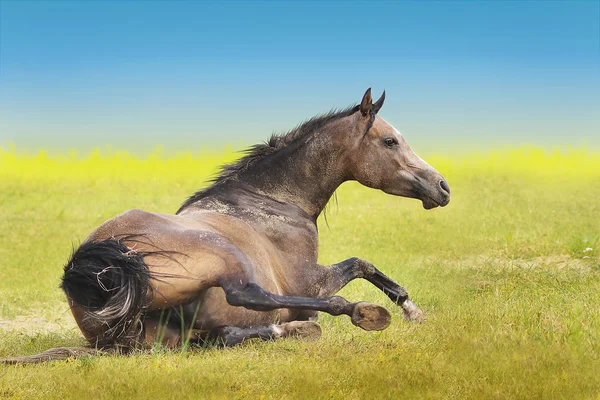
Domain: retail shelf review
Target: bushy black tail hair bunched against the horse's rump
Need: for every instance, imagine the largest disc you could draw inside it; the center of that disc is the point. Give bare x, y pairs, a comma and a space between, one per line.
110, 281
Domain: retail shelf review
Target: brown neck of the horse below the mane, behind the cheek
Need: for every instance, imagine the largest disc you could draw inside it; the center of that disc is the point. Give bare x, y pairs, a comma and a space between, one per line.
304, 174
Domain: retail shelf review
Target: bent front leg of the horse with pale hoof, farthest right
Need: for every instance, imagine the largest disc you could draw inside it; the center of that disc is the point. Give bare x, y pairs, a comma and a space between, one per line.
338, 275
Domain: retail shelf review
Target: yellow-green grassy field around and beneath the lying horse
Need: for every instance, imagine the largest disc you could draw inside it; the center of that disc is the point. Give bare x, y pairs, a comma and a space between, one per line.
508, 275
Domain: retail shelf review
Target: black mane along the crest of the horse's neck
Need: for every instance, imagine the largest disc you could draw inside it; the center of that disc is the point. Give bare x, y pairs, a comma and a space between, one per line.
265, 149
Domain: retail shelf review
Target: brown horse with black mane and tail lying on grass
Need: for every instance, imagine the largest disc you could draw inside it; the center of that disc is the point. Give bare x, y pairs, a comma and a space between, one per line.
239, 258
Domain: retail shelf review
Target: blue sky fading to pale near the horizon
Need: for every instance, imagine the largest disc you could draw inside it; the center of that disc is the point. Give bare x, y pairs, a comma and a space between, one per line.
196, 74
